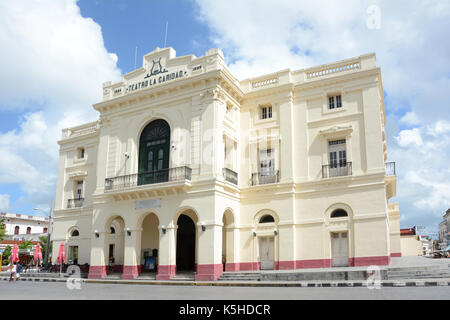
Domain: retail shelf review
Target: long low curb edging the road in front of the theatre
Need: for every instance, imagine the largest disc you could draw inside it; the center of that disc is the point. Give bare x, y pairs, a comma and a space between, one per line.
313, 284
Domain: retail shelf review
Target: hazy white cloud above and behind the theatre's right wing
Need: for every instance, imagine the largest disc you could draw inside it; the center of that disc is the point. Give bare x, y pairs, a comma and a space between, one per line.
263, 36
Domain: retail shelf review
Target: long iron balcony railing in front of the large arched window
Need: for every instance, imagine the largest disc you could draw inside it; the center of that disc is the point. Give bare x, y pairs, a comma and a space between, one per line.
151, 177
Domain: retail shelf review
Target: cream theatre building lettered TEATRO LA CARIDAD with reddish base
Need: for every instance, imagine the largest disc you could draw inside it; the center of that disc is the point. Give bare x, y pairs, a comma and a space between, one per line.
206, 173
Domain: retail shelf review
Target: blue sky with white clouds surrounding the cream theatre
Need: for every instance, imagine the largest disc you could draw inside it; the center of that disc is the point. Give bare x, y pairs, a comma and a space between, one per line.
57, 53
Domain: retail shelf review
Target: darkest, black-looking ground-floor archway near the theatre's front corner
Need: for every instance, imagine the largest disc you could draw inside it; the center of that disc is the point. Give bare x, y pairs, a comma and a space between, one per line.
185, 244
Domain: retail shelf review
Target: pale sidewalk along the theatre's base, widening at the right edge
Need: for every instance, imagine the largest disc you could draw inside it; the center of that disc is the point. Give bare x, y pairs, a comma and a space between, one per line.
404, 266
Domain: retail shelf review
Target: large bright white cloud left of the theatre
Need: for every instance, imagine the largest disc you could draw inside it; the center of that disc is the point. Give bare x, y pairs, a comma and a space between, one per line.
53, 64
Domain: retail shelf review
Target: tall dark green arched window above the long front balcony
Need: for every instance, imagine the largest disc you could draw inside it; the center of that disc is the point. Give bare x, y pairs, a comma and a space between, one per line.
154, 151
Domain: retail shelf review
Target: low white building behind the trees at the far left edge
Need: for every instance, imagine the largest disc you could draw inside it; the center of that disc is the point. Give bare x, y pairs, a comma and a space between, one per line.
24, 227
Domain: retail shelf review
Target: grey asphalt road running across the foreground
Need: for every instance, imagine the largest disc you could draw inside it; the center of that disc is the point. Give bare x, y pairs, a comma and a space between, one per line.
91, 291
